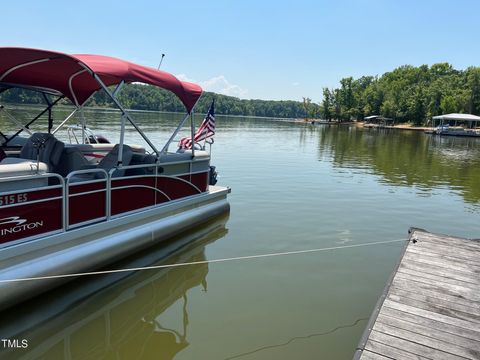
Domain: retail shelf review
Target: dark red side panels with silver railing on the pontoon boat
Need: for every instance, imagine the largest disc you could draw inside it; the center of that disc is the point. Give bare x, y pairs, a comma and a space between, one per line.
93, 195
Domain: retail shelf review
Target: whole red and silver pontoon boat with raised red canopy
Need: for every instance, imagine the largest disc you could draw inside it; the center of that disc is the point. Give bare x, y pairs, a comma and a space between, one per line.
59, 214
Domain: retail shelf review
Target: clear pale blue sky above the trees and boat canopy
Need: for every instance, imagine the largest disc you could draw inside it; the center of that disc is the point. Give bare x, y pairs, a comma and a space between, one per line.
254, 49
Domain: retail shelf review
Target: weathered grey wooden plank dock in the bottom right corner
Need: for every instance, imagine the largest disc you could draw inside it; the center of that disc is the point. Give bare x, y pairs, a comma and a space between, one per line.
430, 308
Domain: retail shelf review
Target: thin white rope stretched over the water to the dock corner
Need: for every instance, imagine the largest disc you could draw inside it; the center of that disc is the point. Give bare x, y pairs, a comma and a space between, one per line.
247, 257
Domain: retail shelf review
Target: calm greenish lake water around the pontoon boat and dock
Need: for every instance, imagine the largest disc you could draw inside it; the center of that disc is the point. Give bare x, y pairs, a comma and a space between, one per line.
294, 187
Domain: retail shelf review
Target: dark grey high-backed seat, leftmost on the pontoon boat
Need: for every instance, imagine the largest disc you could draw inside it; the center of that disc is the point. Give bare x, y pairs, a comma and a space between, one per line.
44, 147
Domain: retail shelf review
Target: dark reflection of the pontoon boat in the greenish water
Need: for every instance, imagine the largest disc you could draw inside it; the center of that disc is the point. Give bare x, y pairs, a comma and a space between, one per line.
117, 315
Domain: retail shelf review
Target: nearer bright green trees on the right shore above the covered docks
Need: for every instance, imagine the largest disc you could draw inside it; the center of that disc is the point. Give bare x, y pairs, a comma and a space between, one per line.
406, 94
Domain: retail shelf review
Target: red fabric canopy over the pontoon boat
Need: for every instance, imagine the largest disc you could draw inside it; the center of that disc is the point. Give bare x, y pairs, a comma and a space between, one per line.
72, 75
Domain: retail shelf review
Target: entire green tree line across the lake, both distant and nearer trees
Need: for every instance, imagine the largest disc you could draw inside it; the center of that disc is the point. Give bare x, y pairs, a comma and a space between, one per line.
406, 94
